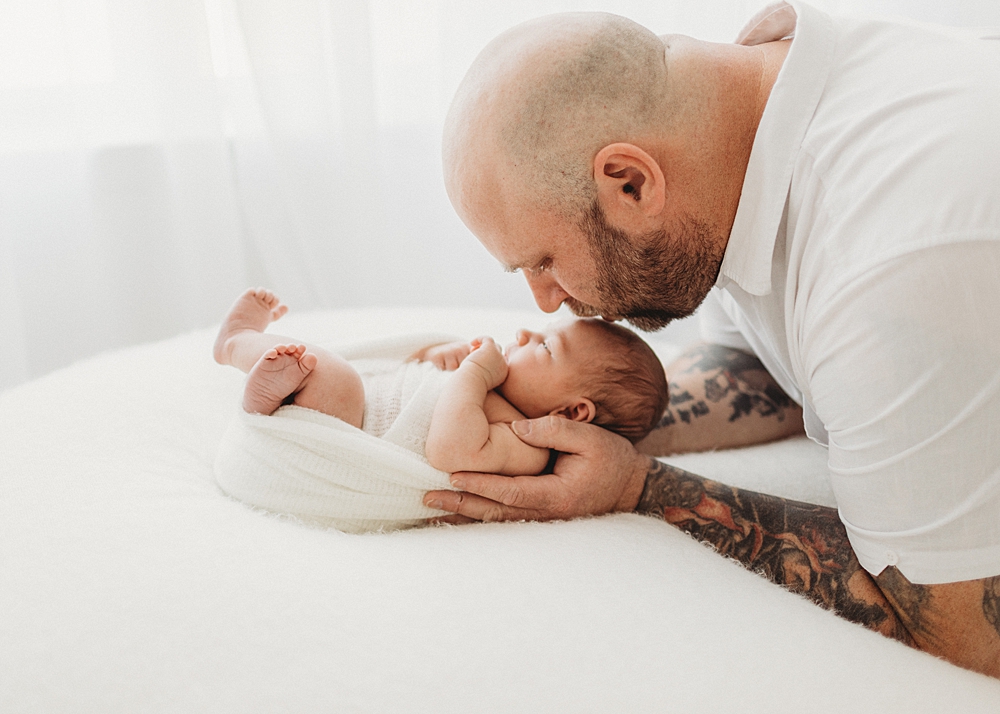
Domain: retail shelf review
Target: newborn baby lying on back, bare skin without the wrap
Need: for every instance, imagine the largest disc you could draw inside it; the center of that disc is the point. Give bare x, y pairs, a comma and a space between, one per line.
587, 370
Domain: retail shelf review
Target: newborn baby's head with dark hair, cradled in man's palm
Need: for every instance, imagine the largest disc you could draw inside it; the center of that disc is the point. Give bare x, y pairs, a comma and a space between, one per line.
587, 370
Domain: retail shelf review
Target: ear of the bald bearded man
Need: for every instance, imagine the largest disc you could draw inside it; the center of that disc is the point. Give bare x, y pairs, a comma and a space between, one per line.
630, 185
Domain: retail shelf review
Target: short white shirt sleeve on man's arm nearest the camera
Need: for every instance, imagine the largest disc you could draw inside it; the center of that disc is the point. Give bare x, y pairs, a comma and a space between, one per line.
903, 367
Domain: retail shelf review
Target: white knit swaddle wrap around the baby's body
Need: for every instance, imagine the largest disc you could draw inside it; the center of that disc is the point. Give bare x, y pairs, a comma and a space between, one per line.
325, 471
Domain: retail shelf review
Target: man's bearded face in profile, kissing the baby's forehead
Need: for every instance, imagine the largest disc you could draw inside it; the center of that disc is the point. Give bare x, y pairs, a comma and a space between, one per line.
593, 267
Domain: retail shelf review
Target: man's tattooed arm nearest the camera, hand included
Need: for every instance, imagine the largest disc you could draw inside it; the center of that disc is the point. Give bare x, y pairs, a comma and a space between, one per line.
798, 545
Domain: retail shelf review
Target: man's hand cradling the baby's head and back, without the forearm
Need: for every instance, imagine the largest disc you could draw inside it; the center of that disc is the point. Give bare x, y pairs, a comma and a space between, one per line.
597, 472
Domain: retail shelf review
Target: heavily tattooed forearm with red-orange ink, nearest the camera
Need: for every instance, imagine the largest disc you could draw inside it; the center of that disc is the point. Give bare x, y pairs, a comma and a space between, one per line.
801, 546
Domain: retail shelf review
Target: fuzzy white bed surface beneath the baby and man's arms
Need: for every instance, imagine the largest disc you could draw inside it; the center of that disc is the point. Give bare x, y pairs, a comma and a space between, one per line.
129, 583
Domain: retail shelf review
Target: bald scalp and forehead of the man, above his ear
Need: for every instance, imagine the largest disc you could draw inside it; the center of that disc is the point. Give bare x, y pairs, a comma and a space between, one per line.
541, 100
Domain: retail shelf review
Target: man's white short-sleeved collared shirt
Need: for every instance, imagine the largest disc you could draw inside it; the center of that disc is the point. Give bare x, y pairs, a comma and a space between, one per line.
863, 270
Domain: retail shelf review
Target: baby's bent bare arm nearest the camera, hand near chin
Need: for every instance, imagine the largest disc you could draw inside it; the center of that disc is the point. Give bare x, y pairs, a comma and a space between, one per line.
467, 433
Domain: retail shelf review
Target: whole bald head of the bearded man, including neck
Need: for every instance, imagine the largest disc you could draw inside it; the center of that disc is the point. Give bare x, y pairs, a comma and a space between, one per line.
581, 147
